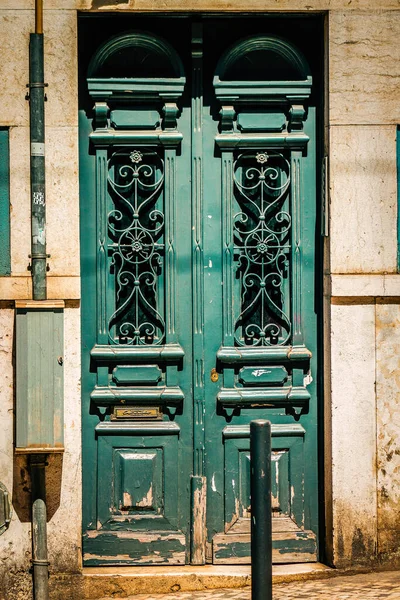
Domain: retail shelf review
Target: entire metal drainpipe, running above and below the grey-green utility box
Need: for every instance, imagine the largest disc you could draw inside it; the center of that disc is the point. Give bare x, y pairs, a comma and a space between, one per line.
38, 268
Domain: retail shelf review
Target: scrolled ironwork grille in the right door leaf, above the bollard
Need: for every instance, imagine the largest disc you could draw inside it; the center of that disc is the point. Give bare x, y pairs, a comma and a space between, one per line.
262, 241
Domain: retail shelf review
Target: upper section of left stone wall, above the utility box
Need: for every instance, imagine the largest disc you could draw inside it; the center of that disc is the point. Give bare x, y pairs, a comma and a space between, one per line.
61, 149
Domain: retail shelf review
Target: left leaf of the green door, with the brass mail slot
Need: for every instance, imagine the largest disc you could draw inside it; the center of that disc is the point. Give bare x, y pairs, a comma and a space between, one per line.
137, 410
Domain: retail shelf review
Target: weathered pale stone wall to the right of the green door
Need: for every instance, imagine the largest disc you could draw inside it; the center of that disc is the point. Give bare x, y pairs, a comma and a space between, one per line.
364, 100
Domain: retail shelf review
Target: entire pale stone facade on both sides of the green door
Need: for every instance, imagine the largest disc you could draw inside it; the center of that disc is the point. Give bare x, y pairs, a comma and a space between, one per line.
363, 433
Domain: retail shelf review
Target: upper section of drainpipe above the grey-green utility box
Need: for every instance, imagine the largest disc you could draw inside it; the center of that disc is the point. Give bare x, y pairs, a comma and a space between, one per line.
37, 138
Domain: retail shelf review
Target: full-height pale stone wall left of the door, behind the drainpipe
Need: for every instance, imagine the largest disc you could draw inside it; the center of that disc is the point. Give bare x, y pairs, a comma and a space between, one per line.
64, 480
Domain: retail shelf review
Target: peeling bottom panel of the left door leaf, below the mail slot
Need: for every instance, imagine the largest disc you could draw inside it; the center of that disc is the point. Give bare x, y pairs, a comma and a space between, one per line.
137, 496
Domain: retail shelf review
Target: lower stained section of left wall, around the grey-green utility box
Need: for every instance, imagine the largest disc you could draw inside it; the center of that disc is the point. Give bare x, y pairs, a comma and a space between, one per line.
64, 482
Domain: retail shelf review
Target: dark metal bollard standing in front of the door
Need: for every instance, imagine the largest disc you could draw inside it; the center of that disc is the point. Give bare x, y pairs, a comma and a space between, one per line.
261, 517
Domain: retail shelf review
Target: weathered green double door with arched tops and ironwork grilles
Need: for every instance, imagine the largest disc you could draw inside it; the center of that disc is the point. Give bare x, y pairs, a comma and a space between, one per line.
198, 302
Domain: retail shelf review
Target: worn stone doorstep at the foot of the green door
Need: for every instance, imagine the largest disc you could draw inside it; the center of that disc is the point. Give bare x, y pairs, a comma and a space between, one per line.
94, 583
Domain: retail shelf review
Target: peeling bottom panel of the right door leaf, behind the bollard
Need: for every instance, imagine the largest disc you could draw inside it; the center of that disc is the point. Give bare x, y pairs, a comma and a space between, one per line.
290, 540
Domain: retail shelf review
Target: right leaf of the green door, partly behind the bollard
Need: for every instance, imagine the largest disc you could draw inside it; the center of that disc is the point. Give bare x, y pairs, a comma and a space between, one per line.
264, 157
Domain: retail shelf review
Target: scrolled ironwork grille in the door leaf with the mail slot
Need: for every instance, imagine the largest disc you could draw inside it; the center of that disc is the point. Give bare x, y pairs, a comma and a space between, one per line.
136, 246
